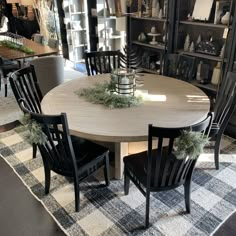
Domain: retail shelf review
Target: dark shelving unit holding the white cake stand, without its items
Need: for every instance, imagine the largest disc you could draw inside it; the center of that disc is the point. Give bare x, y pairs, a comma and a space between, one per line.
152, 55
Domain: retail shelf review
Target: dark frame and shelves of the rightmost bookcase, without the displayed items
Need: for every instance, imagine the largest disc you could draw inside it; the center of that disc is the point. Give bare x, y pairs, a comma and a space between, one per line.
207, 29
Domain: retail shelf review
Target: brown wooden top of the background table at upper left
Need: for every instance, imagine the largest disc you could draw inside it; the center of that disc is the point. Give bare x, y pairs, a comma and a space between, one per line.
39, 50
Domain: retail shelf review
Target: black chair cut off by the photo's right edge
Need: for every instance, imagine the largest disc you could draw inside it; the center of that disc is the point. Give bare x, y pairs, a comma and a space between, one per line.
224, 108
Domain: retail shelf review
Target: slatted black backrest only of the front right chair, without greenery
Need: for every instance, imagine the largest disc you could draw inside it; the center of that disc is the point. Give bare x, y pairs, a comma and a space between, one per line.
169, 172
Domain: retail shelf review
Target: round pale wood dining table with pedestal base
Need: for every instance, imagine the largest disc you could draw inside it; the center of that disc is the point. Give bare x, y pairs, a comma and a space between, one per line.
168, 102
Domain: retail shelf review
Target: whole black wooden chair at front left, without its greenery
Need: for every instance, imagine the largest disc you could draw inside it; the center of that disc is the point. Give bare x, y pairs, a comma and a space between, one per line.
60, 155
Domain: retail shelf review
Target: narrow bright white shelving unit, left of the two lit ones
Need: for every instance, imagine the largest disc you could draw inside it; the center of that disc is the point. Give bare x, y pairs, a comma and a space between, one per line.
76, 29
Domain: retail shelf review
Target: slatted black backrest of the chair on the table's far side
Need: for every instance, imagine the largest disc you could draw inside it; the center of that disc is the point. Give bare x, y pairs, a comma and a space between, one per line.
101, 62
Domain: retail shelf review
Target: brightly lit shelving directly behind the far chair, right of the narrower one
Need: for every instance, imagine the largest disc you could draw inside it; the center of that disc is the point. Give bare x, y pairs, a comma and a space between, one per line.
103, 32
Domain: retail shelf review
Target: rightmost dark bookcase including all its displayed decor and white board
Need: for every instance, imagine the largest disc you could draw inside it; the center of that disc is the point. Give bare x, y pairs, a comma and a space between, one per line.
202, 30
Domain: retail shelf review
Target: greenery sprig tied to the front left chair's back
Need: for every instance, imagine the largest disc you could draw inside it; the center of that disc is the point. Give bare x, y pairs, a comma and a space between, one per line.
34, 133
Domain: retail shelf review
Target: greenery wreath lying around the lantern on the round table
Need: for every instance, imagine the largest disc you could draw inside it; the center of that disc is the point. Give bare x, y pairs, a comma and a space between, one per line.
102, 94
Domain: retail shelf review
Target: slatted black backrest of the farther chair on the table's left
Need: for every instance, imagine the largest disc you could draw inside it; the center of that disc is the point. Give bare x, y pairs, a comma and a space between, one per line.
24, 85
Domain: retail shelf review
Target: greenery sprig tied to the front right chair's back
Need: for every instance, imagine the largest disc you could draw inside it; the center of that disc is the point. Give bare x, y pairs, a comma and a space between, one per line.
190, 144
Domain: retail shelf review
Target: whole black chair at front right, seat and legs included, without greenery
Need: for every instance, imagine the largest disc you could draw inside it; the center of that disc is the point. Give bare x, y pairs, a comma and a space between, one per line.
158, 168
